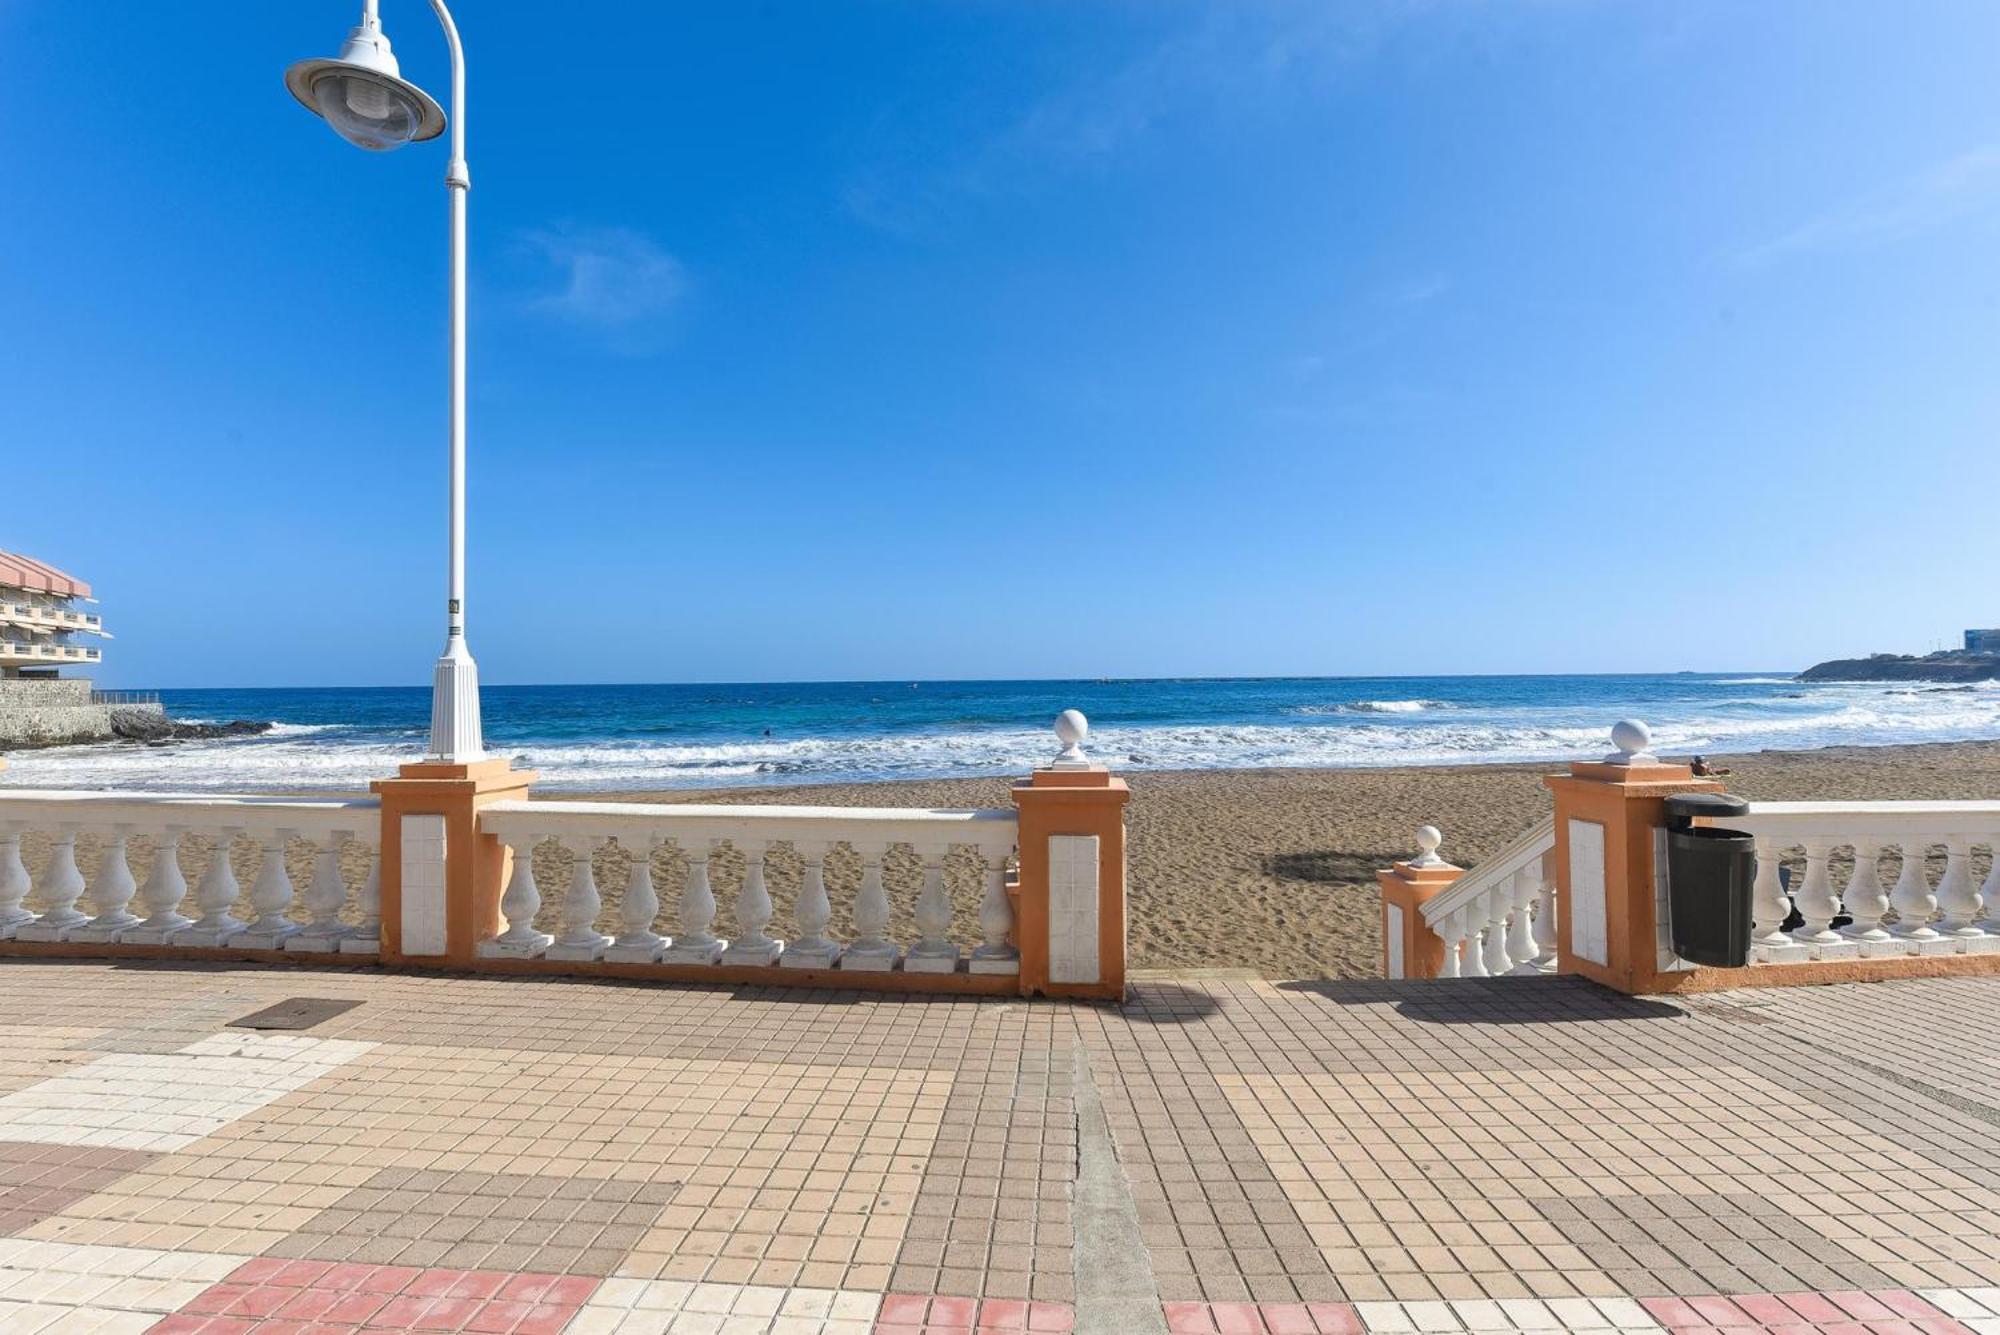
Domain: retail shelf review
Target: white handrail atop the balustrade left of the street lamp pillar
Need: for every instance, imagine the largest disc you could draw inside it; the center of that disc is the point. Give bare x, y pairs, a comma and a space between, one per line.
111, 810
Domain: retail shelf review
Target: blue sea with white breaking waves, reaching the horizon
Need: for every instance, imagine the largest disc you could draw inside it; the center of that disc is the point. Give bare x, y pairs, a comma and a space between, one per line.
697, 736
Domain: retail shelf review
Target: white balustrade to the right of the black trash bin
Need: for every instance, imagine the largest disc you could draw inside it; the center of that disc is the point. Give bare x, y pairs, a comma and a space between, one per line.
1911, 918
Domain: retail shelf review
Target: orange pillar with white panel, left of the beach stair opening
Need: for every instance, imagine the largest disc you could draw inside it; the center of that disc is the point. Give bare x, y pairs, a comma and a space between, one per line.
1071, 910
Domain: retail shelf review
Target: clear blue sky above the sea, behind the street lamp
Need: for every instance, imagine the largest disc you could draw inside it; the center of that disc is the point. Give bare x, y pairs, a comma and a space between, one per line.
915, 339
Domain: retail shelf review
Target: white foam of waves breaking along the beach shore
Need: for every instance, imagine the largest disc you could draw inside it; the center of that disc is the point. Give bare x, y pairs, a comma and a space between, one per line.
1415, 732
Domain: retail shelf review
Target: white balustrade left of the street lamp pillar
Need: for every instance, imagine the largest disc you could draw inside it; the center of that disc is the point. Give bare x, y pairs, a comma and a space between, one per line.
115, 820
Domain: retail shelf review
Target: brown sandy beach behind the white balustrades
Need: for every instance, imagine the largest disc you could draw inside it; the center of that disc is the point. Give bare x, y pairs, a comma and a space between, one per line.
1267, 870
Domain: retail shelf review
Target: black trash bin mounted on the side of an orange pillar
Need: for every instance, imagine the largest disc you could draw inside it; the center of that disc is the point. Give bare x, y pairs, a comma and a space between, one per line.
1709, 876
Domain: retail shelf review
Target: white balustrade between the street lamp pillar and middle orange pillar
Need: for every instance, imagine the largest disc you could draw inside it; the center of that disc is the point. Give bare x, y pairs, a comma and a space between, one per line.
753, 832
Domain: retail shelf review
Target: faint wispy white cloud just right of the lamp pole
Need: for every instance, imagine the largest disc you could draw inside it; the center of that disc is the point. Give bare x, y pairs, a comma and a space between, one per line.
607, 281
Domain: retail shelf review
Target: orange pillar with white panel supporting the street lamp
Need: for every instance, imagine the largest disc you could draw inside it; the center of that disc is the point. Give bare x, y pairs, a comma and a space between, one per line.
441, 876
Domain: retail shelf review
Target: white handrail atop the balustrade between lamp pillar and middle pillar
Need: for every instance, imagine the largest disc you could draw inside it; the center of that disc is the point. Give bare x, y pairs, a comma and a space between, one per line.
935, 828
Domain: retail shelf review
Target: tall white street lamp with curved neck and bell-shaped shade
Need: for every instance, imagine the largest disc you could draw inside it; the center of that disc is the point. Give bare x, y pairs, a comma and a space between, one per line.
361, 93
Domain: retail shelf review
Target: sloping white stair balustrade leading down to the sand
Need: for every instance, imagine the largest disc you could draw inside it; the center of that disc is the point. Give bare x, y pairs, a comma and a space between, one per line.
1499, 918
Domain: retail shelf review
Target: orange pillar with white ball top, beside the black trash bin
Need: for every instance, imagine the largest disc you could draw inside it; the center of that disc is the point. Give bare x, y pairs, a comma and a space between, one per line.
1611, 876
